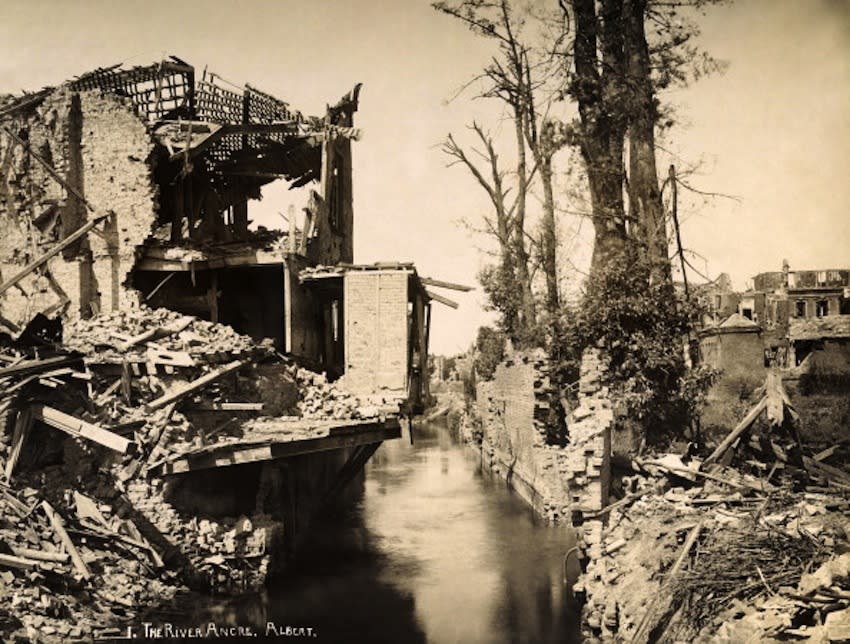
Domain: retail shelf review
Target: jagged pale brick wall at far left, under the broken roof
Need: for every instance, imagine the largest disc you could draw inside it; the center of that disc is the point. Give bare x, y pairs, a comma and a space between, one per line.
101, 148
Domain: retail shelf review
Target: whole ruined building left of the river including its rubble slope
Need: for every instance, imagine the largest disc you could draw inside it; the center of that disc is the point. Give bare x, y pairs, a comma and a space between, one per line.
174, 379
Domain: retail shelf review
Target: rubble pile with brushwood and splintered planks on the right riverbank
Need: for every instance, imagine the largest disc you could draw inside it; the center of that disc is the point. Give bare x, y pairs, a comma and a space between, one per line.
720, 548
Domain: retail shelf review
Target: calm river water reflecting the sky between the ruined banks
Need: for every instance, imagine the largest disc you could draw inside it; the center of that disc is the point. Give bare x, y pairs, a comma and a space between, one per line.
433, 551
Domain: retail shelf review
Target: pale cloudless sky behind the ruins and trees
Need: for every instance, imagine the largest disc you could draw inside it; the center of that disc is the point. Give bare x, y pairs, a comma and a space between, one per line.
773, 130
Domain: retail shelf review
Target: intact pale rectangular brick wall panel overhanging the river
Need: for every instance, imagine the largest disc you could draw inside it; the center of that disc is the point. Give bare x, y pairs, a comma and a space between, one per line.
376, 331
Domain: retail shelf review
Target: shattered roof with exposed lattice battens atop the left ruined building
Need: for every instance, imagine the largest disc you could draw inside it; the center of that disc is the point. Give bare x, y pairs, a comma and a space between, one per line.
240, 133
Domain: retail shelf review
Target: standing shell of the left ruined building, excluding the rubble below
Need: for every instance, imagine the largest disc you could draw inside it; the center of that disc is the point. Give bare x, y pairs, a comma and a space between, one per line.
156, 168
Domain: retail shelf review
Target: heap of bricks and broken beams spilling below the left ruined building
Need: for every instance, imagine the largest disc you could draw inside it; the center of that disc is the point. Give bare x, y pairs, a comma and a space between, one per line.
115, 544
